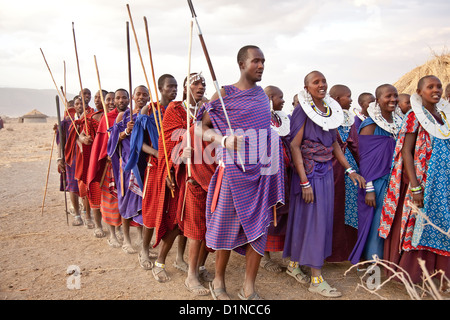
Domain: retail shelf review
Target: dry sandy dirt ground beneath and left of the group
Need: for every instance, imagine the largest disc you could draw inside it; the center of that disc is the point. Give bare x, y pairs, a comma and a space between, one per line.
38, 248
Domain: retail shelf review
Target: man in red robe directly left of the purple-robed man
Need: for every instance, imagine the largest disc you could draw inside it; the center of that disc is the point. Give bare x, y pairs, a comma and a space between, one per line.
99, 167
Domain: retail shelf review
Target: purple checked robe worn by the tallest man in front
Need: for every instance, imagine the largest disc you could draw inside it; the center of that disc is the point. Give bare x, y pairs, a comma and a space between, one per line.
245, 198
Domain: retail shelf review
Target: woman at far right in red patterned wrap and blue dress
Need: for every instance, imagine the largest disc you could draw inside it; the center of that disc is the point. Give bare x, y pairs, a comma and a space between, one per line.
421, 161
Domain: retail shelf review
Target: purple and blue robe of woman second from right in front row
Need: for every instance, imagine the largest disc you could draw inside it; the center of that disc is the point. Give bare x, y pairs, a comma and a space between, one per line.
375, 152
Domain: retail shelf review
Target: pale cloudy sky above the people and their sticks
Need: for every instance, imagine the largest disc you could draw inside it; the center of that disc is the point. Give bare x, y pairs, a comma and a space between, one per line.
360, 43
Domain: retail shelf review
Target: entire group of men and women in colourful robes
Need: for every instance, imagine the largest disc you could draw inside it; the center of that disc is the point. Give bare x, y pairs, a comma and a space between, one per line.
328, 183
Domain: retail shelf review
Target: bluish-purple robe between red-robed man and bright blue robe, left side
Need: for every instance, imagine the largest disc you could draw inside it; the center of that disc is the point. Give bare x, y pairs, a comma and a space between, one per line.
130, 204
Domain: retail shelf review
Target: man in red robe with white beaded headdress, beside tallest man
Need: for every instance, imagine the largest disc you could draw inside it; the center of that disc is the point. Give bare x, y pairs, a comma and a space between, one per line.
202, 168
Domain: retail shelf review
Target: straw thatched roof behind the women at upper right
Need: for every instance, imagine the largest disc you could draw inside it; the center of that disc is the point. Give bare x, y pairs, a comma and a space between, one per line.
439, 66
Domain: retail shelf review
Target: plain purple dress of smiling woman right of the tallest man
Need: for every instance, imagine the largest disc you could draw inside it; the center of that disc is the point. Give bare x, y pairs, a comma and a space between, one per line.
310, 226
